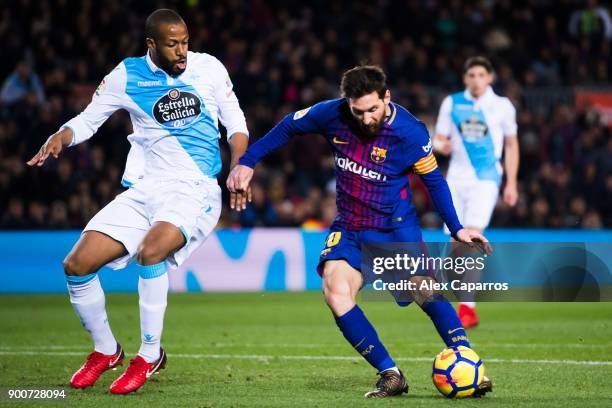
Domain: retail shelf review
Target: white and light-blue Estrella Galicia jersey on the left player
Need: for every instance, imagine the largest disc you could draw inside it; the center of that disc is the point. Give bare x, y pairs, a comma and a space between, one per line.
175, 119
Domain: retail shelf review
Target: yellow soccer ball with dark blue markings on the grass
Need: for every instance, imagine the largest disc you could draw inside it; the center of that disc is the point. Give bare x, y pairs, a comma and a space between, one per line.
457, 371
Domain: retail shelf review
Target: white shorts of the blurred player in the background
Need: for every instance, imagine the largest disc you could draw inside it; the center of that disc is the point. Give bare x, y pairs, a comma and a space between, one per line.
474, 202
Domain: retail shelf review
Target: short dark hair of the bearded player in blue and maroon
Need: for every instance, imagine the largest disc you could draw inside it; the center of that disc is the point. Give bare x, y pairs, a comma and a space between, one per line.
363, 80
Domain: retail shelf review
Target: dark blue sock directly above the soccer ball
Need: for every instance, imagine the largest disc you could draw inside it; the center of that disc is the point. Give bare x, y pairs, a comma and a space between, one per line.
448, 325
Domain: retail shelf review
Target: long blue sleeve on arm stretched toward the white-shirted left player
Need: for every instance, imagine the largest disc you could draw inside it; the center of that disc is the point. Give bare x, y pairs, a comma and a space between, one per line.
296, 123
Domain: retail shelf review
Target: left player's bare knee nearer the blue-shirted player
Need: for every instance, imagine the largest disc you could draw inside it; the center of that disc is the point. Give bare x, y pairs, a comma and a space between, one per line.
160, 241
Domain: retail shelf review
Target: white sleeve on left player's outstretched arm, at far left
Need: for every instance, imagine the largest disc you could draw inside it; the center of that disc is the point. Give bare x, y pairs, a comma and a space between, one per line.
107, 99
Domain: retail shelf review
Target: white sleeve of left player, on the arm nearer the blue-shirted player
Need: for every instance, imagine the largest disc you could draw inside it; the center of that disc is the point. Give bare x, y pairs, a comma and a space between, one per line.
230, 114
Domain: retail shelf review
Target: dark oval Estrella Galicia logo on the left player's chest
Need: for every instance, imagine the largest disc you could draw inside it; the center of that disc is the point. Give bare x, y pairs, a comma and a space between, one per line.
177, 109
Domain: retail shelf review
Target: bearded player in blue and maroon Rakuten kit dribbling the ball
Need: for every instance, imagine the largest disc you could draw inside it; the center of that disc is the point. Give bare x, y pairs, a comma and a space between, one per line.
376, 144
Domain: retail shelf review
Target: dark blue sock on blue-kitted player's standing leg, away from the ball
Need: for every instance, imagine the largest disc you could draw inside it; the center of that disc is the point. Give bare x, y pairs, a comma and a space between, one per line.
361, 334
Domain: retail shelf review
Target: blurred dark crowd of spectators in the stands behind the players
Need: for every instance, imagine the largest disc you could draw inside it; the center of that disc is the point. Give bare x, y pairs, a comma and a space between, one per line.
286, 55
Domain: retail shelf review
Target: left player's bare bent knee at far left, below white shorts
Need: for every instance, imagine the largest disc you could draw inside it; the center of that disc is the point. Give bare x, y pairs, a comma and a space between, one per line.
92, 251
